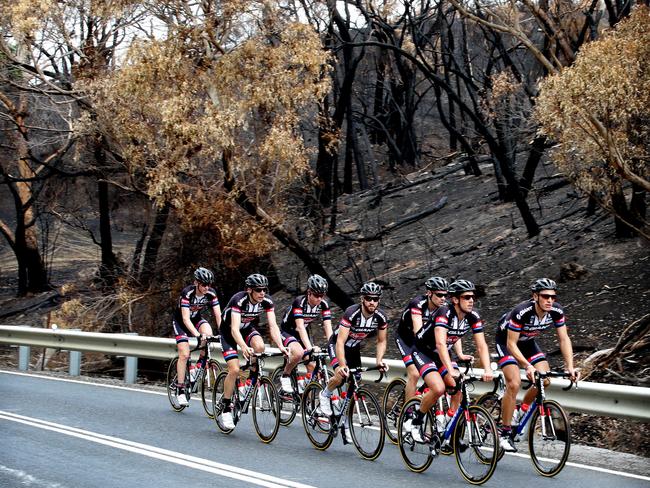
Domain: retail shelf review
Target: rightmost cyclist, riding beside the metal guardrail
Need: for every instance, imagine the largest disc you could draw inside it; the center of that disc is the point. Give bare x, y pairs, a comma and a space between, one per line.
516, 347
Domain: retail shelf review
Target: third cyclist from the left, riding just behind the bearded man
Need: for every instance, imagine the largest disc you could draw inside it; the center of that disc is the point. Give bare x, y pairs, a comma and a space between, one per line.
295, 322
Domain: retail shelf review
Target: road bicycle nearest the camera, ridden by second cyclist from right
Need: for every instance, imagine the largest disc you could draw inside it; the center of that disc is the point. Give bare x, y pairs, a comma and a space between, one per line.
471, 433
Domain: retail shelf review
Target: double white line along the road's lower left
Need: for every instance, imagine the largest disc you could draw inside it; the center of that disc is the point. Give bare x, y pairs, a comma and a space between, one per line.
201, 464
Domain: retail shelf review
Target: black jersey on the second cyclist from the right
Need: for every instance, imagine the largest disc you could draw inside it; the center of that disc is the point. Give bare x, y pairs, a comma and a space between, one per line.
446, 317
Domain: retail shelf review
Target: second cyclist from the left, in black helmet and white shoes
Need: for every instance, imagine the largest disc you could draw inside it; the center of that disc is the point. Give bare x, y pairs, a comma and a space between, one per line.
240, 317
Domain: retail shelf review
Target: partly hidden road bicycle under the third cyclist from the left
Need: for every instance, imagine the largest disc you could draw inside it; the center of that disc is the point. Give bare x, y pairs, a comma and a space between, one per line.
290, 402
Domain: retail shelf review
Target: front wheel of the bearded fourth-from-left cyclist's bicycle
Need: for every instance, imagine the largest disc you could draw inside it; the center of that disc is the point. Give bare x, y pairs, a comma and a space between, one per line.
366, 423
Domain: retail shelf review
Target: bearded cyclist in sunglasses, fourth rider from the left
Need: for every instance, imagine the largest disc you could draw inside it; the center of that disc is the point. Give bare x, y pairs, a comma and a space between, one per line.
344, 347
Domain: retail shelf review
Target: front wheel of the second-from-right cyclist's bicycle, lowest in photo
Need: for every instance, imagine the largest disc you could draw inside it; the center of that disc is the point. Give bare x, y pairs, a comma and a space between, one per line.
475, 441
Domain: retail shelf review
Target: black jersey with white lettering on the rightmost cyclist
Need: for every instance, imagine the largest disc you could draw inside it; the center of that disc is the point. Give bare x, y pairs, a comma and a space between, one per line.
524, 319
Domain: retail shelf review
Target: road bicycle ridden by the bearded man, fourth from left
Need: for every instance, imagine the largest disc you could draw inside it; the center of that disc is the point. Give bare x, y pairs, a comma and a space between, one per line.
356, 409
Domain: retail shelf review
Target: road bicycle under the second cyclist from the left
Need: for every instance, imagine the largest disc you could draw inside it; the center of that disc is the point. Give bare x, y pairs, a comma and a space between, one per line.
257, 392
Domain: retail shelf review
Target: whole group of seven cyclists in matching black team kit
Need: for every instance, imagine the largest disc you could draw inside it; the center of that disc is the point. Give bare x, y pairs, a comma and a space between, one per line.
430, 329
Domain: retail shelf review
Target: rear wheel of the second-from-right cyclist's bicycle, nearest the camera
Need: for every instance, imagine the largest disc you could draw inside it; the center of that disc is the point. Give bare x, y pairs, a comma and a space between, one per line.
416, 455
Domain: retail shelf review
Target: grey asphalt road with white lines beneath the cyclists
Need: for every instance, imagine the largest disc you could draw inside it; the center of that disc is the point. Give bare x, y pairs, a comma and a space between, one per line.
61, 433
